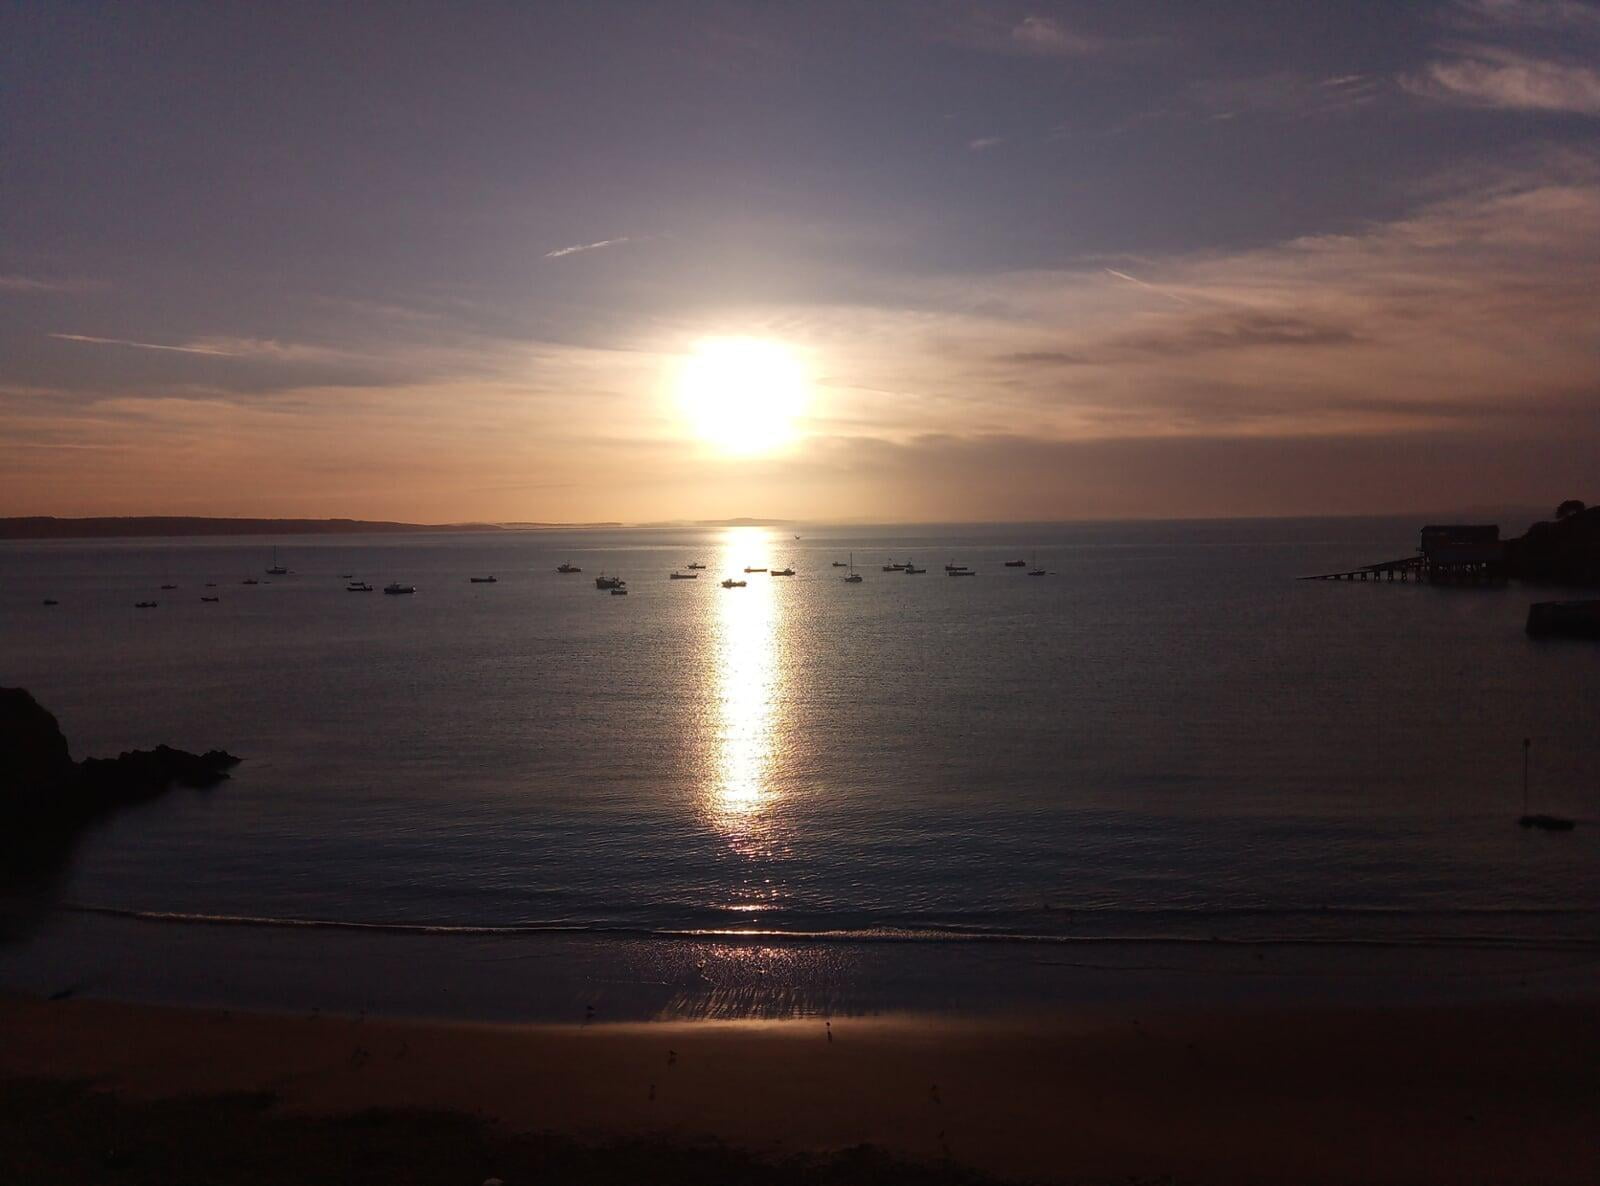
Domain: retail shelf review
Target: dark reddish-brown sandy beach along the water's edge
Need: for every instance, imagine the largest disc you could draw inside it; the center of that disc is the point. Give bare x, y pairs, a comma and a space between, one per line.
1324, 1096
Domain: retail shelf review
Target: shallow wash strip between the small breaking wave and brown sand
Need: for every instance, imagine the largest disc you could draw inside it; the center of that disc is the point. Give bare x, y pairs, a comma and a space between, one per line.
556, 977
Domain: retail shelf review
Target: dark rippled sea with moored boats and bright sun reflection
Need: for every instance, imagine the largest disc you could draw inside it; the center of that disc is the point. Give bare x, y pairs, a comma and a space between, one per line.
1162, 767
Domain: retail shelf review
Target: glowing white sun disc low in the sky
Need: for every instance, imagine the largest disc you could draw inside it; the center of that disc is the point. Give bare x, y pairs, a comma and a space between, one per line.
743, 395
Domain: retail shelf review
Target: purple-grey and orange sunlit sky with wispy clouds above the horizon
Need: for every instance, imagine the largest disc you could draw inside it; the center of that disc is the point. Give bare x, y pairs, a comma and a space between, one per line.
1052, 262
